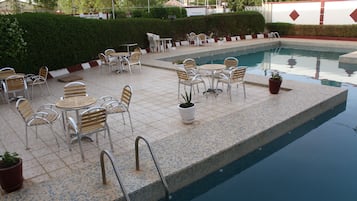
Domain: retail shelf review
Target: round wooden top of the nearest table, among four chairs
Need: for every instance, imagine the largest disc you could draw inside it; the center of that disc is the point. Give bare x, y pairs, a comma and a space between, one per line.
76, 102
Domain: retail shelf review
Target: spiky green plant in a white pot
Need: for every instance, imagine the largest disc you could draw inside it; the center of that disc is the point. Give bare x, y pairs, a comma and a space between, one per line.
187, 108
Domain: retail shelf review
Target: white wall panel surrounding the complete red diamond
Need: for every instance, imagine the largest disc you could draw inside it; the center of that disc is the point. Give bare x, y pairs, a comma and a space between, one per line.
309, 12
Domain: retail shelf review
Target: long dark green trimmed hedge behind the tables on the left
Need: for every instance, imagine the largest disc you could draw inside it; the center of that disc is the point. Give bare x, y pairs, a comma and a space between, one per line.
59, 41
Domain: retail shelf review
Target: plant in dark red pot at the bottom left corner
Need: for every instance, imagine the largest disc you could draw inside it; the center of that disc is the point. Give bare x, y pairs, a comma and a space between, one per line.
10, 171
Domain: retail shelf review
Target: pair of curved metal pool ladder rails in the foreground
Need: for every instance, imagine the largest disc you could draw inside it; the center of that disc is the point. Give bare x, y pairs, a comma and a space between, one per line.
111, 158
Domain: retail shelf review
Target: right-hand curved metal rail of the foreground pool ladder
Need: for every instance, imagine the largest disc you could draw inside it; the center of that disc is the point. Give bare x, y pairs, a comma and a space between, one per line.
155, 162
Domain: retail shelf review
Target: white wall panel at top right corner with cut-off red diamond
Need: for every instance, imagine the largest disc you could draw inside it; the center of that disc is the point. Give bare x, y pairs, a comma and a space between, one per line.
339, 12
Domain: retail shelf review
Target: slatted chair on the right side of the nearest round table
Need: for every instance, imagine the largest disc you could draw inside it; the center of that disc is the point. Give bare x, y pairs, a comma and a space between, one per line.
113, 106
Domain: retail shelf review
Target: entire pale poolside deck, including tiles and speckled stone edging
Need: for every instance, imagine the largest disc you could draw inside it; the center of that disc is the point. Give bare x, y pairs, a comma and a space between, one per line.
222, 132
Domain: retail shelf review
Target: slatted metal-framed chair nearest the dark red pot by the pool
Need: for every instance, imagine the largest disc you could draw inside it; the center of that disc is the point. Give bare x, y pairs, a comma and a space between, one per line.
236, 76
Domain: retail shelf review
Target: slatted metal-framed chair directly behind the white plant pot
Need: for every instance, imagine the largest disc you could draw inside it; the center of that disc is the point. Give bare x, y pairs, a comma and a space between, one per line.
186, 80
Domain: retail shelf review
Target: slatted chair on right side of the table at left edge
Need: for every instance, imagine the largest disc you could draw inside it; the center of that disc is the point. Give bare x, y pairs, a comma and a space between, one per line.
38, 80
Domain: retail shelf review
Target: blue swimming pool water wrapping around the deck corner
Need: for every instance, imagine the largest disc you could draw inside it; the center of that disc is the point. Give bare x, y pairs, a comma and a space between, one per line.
317, 161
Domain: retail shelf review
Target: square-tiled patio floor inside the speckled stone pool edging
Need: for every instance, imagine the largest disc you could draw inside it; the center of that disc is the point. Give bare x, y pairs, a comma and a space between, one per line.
153, 109
